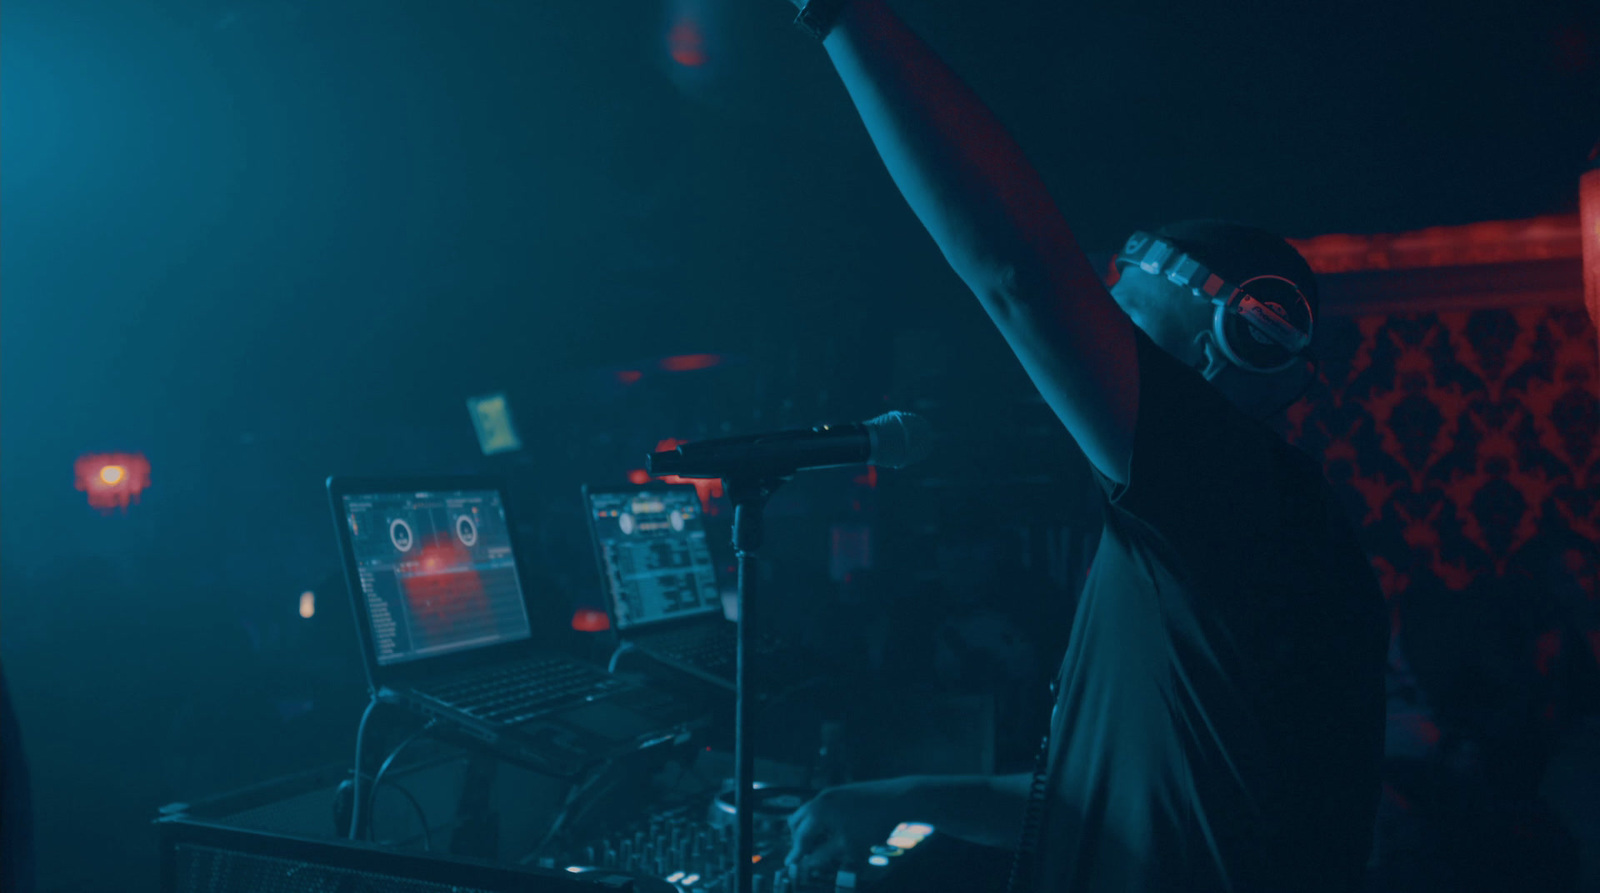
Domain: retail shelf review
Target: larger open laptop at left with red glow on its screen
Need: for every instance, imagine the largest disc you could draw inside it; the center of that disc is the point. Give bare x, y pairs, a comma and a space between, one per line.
447, 630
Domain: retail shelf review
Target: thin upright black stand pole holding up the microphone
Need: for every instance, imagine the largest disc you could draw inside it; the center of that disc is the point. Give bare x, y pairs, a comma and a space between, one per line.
750, 499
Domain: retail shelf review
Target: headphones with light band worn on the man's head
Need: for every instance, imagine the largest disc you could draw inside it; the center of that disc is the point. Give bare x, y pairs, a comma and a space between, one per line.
1262, 326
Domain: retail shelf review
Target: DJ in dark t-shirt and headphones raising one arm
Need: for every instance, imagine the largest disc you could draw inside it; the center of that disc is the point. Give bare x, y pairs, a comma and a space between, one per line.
1220, 710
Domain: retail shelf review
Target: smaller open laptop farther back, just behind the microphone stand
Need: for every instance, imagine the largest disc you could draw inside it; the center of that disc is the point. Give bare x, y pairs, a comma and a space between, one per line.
662, 588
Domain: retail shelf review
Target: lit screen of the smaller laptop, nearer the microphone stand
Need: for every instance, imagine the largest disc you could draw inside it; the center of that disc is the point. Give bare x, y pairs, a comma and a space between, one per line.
654, 555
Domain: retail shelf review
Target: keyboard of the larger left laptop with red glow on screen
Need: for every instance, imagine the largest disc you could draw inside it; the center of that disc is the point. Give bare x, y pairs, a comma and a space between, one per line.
527, 689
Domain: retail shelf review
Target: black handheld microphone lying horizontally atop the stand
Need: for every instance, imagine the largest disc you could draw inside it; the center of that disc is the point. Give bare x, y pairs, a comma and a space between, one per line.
892, 441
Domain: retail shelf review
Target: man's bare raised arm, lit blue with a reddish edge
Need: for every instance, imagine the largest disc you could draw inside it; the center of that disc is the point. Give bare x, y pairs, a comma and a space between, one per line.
988, 210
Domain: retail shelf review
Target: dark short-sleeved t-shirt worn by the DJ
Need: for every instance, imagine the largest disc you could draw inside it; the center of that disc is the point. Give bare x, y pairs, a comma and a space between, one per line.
1222, 703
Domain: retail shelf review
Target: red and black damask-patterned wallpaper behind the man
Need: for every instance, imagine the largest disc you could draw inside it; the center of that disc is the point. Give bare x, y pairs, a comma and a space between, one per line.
1462, 441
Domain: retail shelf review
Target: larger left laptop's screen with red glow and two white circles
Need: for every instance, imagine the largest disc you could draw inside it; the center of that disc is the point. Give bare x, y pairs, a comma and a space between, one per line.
436, 571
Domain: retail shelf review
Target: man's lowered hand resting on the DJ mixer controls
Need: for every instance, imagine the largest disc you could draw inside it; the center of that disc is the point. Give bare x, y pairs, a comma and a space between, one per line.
842, 823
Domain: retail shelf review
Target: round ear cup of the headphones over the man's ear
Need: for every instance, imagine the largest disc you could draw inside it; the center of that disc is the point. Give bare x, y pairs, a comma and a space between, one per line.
1257, 322
